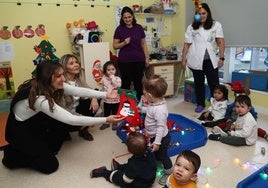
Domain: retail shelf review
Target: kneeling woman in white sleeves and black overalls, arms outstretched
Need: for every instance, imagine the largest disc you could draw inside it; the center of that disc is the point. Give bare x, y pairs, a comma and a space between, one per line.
35, 128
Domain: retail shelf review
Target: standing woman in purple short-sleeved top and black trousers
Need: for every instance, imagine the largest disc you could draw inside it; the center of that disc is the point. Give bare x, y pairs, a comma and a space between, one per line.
129, 38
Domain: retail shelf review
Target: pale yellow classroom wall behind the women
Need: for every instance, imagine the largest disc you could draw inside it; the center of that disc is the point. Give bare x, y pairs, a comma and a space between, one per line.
55, 18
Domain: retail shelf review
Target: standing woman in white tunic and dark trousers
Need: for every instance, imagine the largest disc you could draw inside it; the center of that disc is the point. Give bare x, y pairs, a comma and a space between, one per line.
203, 40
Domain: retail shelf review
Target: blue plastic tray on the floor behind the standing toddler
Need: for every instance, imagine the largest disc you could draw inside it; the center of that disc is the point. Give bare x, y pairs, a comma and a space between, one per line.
185, 134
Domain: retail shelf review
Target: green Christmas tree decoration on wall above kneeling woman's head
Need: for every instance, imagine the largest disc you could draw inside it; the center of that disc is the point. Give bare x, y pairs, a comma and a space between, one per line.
45, 51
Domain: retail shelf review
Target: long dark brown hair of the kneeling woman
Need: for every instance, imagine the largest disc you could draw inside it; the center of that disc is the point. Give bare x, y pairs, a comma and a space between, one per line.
42, 84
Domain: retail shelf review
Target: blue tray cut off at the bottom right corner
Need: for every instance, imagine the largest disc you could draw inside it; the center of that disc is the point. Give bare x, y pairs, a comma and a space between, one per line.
258, 179
